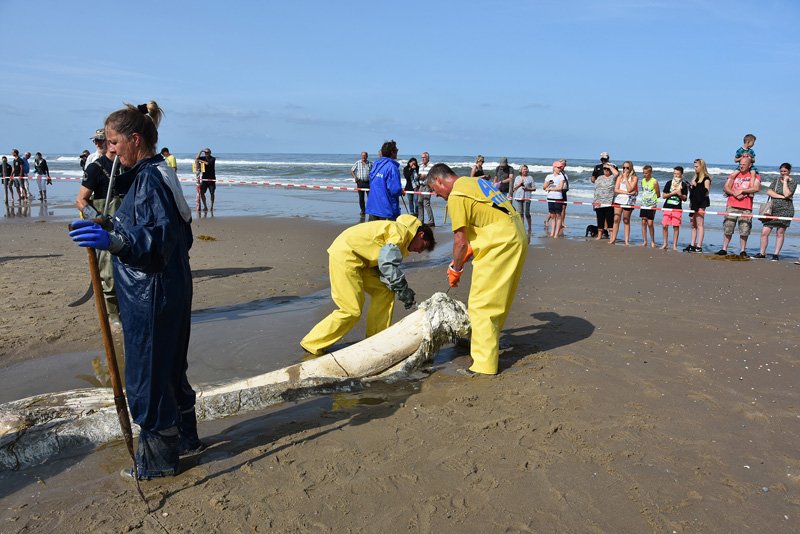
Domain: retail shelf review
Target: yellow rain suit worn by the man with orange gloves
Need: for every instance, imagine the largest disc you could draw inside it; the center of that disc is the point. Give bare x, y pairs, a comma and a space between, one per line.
500, 250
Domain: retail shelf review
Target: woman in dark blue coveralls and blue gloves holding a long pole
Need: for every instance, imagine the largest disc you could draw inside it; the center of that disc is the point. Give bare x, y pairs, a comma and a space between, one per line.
150, 243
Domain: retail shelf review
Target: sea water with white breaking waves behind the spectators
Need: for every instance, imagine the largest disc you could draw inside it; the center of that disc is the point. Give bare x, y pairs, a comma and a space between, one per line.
291, 171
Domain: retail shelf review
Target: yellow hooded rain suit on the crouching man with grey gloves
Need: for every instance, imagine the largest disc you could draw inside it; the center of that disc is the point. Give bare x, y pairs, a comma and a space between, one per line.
352, 263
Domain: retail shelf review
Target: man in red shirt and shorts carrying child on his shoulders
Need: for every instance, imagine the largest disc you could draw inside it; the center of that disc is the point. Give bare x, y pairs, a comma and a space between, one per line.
740, 187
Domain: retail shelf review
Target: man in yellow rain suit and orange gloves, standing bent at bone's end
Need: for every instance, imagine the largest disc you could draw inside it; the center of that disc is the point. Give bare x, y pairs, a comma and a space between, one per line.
483, 219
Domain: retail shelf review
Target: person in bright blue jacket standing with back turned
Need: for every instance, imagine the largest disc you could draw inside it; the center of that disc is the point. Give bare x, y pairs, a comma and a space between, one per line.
385, 187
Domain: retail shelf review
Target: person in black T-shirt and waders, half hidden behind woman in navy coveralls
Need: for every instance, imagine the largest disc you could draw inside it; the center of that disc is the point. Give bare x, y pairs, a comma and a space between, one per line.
91, 202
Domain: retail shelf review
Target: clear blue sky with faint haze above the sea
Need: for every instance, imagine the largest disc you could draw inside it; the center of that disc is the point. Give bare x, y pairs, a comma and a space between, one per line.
646, 80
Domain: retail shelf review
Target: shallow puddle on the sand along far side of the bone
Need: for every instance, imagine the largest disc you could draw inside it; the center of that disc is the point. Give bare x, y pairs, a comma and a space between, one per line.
226, 344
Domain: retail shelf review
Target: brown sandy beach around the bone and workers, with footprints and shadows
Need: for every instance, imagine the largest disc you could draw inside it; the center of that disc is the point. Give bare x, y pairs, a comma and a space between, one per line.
640, 391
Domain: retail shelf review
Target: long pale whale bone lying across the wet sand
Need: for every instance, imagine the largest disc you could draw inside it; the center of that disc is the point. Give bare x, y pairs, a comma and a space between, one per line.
40, 427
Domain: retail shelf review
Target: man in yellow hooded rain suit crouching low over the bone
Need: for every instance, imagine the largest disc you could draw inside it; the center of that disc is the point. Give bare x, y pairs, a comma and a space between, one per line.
366, 259
